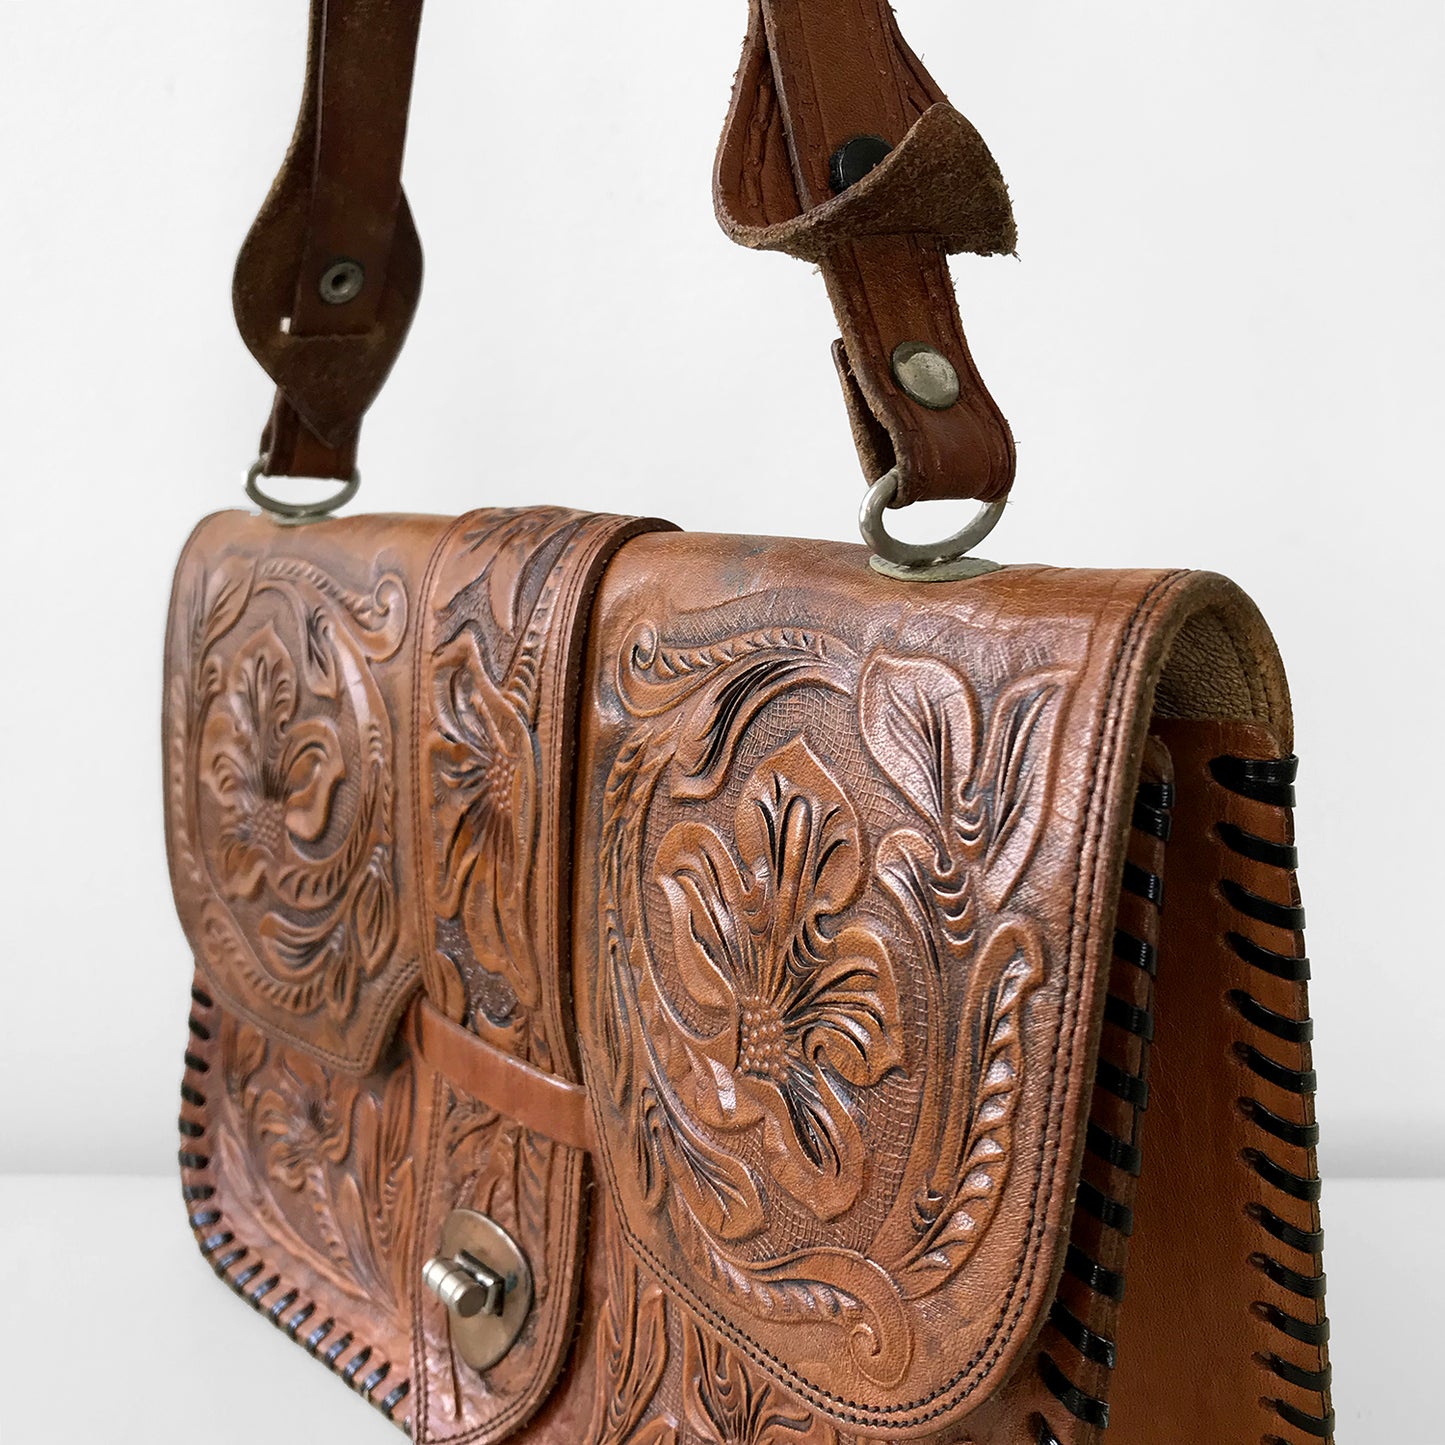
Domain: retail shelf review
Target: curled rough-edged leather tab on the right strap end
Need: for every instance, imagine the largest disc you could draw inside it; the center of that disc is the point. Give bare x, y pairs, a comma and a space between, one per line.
939, 181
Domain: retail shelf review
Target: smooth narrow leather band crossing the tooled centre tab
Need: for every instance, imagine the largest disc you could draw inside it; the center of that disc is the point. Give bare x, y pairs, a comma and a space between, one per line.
537, 1100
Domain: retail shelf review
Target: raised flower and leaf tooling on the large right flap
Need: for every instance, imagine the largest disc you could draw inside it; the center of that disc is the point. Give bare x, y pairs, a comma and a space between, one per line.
741, 1071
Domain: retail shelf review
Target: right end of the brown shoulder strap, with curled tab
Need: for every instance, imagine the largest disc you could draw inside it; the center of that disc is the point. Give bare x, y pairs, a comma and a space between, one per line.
816, 74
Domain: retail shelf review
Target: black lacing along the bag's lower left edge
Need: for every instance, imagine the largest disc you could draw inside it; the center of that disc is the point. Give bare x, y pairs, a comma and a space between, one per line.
264, 1291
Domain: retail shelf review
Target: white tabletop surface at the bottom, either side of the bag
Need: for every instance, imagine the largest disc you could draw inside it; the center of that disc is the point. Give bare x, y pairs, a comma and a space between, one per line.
115, 1330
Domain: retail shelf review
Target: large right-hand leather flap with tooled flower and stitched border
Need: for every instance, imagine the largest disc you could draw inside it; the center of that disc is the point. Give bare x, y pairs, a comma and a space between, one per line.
855, 847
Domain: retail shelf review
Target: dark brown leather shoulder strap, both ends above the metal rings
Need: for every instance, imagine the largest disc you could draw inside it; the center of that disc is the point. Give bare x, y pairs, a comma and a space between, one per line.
839, 150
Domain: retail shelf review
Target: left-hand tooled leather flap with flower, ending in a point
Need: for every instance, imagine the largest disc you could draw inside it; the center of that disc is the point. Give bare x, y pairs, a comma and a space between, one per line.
290, 668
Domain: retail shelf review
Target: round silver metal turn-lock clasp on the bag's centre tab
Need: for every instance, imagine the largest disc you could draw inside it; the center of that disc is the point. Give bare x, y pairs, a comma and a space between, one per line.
485, 1281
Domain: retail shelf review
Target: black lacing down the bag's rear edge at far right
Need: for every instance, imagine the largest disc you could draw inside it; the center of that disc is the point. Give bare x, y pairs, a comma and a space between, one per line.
1272, 782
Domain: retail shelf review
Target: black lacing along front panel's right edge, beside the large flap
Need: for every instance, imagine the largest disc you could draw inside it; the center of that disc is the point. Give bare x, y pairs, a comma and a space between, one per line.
1113, 1079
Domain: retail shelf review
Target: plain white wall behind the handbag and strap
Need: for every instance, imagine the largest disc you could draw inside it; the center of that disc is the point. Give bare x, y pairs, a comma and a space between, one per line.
1222, 346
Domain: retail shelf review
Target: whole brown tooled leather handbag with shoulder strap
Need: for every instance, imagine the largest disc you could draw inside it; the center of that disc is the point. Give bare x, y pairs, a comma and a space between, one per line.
677, 989
